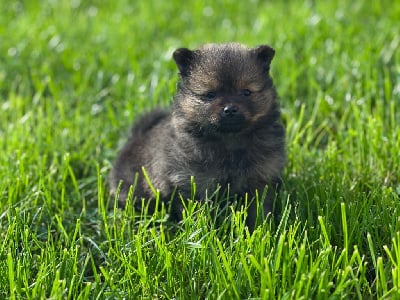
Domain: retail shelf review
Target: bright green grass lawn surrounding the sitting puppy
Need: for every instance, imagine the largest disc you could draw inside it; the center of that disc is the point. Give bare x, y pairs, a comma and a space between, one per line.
75, 74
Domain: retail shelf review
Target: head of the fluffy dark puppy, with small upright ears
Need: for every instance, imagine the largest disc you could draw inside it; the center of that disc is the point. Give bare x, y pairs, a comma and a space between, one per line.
223, 88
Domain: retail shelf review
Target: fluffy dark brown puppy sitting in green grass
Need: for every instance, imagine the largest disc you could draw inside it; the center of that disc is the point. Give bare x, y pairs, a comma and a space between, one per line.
223, 129
